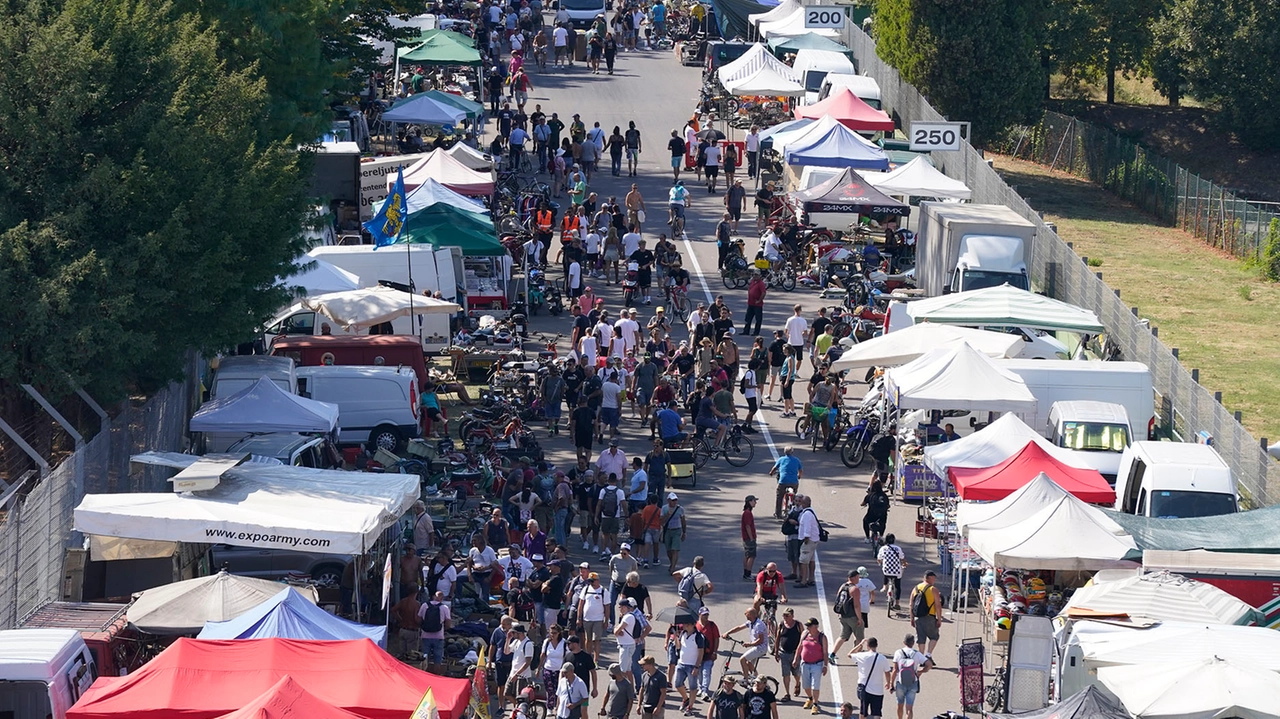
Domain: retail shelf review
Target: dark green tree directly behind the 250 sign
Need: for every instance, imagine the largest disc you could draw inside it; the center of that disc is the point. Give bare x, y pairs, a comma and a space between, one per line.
976, 61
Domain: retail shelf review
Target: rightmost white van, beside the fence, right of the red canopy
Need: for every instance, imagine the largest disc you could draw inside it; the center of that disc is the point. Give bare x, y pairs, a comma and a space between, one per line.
1174, 480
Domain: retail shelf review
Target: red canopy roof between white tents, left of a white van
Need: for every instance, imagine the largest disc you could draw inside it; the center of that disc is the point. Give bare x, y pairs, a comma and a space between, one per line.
989, 484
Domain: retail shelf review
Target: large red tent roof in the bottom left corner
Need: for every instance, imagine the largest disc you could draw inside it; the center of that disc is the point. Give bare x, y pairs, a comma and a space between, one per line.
207, 679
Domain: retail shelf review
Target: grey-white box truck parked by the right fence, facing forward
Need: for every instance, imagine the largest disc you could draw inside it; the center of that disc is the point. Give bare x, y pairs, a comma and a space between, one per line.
962, 248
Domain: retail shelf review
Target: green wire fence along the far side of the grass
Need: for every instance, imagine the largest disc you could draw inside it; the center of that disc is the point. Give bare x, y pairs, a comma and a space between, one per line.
1153, 182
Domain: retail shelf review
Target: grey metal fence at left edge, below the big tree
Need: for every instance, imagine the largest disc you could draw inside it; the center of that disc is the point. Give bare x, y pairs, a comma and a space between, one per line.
36, 528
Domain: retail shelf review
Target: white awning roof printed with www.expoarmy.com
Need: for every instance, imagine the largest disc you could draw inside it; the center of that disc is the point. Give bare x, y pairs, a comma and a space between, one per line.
298, 509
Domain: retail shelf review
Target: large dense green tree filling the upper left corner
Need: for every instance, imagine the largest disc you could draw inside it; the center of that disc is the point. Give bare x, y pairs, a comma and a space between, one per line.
141, 216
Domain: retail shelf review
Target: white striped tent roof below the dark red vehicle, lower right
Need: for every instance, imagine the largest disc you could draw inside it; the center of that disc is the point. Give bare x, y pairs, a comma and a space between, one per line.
1162, 596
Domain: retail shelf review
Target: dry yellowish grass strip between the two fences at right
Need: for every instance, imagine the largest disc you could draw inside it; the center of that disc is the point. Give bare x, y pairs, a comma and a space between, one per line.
1222, 315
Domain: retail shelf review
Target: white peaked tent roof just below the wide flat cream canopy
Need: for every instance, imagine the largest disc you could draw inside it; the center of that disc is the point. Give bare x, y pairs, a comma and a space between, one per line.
958, 378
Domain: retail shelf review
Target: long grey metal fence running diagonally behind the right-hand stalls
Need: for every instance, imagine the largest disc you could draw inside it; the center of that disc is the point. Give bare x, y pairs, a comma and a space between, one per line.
1183, 407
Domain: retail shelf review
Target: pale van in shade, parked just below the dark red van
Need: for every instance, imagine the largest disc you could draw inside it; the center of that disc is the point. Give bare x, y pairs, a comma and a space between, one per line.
377, 405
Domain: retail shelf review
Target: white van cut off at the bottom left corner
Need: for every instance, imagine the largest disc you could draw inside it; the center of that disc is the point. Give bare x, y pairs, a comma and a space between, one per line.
43, 672
